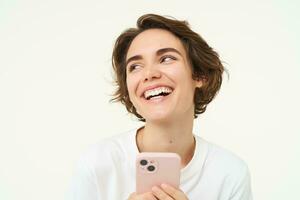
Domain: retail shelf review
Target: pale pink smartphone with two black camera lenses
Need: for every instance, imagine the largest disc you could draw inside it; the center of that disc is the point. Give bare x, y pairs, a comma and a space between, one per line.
155, 168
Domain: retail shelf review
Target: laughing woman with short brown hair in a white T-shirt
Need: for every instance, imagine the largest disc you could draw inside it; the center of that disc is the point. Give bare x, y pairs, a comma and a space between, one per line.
166, 75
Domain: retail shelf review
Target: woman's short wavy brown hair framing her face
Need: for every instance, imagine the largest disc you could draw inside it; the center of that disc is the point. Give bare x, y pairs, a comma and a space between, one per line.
205, 62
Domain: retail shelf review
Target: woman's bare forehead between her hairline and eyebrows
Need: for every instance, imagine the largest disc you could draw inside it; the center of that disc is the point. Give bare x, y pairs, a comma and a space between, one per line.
151, 40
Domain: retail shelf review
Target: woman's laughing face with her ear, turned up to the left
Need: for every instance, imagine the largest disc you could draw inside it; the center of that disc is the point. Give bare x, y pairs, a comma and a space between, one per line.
159, 77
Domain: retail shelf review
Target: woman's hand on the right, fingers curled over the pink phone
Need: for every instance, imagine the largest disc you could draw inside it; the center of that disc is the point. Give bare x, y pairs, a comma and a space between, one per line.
167, 192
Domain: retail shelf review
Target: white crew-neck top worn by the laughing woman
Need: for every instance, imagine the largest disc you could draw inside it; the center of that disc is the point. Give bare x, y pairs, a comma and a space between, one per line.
106, 171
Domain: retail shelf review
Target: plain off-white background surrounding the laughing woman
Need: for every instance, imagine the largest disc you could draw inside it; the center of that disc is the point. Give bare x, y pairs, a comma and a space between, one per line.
56, 82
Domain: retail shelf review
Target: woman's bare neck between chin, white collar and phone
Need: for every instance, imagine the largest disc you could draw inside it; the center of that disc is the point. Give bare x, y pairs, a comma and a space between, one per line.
175, 137
